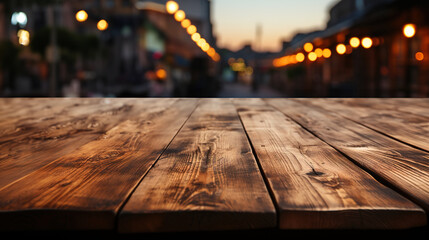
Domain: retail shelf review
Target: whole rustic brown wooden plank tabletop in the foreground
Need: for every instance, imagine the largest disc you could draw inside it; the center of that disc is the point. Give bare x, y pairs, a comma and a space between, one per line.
190, 165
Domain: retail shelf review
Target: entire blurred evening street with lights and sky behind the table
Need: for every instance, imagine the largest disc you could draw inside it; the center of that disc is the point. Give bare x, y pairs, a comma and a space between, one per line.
214, 48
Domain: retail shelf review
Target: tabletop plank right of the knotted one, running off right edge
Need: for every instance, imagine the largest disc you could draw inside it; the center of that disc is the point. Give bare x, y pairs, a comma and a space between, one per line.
401, 166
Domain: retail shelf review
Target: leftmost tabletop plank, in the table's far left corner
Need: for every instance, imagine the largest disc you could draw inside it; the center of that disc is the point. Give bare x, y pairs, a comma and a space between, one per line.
59, 128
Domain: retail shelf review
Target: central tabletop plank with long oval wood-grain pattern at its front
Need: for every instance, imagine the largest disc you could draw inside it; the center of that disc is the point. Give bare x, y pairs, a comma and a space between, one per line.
208, 179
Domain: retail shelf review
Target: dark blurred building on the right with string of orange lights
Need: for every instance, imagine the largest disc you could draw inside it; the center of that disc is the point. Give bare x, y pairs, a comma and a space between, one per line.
390, 65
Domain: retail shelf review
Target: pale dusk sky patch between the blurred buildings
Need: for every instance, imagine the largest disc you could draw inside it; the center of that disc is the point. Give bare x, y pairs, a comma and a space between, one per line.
235, 21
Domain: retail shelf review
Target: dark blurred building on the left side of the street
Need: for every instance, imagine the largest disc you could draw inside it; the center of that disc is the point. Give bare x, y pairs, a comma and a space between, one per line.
143, 52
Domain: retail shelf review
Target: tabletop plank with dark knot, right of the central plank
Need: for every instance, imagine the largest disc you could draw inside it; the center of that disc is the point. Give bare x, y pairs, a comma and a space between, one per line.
315, 186
